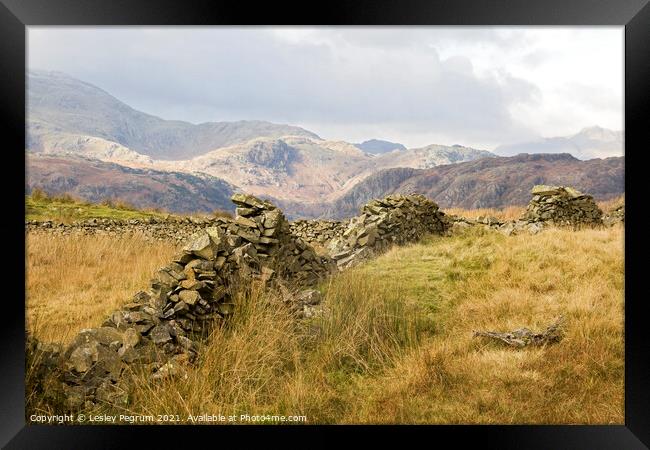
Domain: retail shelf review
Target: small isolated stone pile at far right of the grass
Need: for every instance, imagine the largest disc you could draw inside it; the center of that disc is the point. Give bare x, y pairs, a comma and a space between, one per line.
559, 205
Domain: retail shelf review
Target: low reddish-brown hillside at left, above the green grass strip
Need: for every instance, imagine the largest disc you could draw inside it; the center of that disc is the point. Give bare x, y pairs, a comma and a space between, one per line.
95, 181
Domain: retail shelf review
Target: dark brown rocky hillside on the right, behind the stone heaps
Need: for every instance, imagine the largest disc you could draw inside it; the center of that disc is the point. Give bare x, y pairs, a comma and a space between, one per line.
488, 182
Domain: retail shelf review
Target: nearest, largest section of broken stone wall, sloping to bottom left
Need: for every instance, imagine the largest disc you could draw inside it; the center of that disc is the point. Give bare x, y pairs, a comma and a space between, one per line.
161, 328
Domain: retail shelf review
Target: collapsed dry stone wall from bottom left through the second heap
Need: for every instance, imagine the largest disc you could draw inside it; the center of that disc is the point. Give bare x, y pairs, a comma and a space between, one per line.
160, 329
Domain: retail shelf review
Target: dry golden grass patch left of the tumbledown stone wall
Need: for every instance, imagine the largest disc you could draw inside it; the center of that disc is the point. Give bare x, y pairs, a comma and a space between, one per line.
74, 282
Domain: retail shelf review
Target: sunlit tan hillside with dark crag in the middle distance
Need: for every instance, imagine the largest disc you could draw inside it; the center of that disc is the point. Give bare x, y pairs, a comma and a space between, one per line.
307, 170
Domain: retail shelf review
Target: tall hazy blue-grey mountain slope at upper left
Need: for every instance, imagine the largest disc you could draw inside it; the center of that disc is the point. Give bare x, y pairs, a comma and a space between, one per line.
66, 114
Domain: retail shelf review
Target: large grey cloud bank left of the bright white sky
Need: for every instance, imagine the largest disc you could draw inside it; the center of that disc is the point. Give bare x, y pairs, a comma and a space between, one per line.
393, 78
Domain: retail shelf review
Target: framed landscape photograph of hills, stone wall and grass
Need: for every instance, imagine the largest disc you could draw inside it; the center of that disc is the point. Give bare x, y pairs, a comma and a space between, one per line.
309, 225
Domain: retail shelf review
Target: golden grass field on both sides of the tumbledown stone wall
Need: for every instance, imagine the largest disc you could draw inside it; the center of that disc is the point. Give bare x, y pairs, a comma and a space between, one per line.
396, 345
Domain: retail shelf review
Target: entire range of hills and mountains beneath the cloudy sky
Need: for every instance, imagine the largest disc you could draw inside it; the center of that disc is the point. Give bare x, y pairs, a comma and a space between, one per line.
82, 140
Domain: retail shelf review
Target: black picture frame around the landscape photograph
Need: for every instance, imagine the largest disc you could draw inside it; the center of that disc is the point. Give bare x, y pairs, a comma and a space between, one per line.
16, 15
